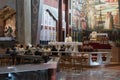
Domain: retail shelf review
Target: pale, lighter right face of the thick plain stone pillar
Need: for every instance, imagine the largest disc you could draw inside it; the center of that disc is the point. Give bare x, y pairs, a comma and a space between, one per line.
27, 20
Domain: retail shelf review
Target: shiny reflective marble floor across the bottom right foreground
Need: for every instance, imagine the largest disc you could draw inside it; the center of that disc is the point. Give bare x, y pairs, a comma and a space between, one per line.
101, 73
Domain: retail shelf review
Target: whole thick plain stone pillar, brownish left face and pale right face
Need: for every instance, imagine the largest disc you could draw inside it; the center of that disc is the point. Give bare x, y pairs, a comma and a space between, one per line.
23, 17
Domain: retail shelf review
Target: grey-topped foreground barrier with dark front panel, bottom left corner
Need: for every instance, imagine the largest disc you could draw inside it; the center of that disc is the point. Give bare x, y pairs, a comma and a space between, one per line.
44, 71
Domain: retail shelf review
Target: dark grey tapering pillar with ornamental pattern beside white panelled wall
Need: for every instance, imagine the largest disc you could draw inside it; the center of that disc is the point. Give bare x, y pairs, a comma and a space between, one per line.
34, 19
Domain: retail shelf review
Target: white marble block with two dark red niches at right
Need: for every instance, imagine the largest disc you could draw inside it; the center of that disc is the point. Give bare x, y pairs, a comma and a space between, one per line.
98, 58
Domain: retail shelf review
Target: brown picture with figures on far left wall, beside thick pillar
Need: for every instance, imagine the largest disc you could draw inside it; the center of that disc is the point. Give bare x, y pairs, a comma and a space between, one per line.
7, 20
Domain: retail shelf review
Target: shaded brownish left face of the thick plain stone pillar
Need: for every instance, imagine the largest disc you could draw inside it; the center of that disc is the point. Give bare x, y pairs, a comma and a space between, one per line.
20, 21
